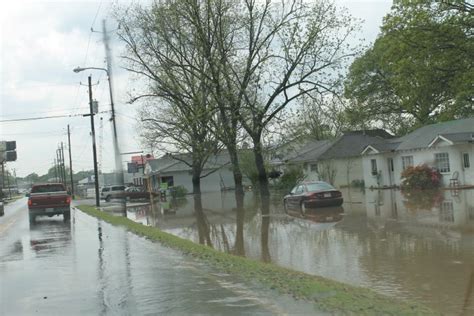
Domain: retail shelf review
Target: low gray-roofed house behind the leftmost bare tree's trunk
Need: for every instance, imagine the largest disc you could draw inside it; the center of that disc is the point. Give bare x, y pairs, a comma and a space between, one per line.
216, 175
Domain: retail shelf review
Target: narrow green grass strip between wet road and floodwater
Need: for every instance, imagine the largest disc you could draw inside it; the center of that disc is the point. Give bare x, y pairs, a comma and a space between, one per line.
328, 295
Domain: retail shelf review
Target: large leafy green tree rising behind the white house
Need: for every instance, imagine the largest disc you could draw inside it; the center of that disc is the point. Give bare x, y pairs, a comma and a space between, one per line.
420, 68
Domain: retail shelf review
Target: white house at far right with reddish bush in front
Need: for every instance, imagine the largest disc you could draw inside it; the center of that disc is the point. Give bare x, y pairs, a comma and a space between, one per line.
446, 146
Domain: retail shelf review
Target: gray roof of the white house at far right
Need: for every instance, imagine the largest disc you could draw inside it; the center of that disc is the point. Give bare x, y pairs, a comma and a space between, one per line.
459, 130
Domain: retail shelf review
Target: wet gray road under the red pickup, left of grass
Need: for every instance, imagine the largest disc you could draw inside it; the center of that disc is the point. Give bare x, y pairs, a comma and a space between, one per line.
87, 267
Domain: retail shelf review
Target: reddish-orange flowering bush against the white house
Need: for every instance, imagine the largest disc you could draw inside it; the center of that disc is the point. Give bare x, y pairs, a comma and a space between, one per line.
421, 177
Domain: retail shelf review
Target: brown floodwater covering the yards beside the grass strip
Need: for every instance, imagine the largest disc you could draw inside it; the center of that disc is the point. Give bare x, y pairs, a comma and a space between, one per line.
415, 246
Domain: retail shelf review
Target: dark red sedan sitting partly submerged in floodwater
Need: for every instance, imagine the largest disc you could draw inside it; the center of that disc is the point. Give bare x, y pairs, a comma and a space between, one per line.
313, 194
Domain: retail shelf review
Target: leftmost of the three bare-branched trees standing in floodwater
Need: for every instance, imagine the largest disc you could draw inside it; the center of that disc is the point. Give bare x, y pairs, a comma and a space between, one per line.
161, 49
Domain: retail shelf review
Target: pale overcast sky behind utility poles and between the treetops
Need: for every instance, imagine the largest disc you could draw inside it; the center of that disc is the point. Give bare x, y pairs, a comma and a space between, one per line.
41, 42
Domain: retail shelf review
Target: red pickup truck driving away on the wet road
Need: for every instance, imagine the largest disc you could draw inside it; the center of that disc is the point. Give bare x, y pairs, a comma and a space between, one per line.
49, 199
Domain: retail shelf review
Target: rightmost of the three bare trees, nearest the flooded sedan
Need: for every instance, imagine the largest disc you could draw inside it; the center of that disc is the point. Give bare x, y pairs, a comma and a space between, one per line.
284, 51
